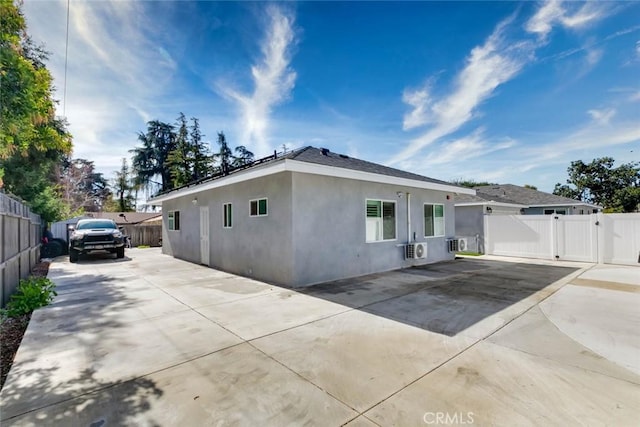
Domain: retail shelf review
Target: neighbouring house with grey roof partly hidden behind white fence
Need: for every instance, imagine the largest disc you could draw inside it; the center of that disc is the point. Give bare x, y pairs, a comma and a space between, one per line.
508, 199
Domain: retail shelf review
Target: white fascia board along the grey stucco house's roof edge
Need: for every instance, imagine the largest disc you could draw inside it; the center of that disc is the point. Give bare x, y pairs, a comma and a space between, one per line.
291, 165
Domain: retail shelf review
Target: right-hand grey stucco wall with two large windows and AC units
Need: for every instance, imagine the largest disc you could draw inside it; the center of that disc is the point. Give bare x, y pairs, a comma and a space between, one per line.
330, 229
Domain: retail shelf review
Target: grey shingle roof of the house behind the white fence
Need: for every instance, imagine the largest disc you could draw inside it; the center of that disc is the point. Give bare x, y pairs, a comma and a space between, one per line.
509, 193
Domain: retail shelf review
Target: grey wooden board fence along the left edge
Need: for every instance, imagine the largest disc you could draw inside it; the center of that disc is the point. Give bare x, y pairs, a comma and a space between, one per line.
20, 233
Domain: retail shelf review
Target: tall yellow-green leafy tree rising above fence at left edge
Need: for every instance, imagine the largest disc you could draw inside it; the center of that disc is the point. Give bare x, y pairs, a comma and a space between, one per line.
33, 142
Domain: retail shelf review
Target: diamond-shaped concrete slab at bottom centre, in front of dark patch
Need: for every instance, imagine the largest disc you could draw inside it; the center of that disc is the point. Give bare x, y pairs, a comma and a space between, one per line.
358, 357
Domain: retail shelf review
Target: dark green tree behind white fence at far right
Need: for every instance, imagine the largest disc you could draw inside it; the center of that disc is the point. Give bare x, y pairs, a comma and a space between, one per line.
600, 183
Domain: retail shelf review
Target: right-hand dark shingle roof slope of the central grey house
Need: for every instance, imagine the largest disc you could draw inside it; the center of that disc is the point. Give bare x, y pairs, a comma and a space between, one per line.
325, 157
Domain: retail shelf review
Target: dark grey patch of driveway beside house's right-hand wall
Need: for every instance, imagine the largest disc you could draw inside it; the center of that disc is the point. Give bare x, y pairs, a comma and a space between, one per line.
447, 297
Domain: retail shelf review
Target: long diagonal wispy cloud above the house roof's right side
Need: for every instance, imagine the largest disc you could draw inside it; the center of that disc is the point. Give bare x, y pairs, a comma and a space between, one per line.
487, 67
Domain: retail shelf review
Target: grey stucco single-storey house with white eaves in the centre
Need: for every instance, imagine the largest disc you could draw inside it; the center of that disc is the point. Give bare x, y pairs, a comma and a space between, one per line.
310, 216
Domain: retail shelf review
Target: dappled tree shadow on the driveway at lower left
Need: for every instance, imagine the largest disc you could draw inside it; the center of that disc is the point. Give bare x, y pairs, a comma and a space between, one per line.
87, 309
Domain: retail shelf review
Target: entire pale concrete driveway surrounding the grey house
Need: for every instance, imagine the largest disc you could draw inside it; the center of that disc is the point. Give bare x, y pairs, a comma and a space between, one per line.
151, 340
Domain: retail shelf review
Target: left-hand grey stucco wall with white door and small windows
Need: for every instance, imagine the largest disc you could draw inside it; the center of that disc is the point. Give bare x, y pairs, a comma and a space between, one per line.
259, 247
